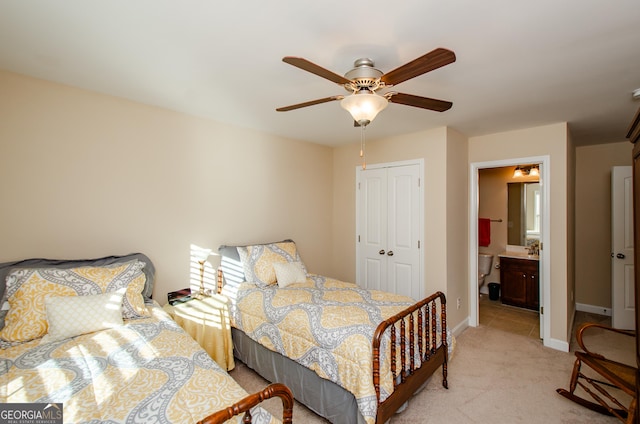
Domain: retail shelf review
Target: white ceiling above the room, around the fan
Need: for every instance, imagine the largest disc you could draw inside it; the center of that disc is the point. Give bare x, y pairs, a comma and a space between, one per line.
519, 63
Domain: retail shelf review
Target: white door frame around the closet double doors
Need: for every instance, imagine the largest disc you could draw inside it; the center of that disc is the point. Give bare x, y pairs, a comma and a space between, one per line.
420, 163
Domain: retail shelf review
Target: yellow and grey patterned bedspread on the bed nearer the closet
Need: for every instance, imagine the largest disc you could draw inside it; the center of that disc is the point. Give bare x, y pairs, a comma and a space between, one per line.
326, 325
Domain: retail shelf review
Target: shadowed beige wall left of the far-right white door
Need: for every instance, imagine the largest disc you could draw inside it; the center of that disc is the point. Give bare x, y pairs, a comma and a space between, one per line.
593, 220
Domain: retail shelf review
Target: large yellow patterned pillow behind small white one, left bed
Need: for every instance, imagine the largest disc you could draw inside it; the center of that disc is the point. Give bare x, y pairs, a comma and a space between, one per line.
27, 290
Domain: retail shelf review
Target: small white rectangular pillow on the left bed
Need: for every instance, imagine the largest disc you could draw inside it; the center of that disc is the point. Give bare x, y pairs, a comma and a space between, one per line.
70, 316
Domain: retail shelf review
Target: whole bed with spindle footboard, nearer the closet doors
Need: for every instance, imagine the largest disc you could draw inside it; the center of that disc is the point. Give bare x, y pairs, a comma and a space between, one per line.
377, 347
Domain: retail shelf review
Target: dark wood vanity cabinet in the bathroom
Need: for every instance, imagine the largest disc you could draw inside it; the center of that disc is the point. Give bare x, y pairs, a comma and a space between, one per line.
519, 282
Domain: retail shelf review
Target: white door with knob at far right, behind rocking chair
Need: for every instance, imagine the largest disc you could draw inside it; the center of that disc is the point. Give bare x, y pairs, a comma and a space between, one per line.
622, 281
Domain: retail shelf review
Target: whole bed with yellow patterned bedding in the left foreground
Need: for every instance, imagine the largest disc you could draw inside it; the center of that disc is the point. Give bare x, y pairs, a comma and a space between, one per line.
135, 366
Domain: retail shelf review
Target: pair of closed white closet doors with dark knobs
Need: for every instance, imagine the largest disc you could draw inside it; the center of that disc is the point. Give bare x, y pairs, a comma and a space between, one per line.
389, 230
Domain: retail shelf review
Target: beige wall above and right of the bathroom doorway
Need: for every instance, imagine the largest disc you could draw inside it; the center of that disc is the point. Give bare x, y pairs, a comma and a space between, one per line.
551, 140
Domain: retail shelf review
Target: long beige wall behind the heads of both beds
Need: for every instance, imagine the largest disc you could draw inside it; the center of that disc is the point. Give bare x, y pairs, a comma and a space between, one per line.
86, 175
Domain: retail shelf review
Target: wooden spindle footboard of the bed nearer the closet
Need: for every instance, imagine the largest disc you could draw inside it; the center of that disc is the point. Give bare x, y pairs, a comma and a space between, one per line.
420, 318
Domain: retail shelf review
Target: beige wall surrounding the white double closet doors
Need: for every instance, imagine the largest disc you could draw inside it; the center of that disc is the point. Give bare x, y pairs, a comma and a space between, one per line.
445, 238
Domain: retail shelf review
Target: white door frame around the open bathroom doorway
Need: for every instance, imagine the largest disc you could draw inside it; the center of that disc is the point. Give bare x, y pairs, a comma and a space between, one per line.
545, 253
